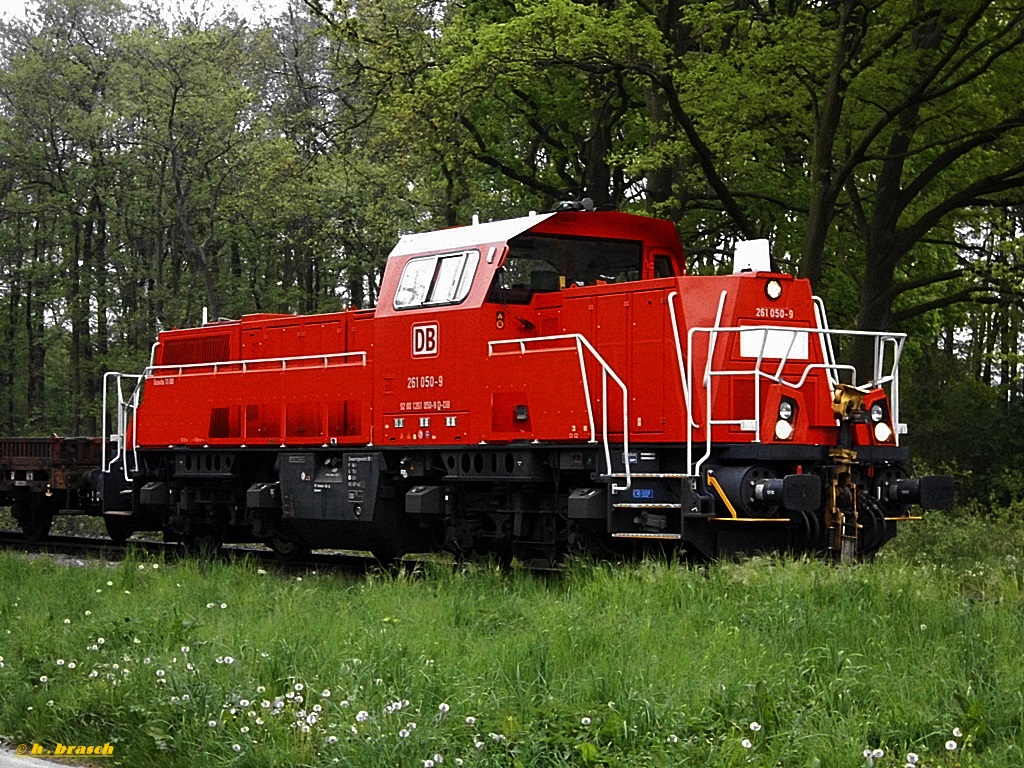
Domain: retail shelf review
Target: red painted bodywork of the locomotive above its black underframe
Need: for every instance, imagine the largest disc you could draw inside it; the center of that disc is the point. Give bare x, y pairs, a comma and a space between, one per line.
485, 370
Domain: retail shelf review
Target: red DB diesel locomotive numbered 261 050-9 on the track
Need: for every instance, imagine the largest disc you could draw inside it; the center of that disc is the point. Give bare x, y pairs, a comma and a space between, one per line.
528, 388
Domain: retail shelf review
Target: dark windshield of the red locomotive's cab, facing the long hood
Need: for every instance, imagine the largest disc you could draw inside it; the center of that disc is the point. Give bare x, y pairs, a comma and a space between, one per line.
540, 264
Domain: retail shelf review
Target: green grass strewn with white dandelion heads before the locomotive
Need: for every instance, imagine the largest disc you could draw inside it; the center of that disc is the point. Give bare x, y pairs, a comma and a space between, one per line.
606, 665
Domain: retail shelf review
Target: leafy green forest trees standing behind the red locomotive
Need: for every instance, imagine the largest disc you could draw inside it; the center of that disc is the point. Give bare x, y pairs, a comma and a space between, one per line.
153, 164
